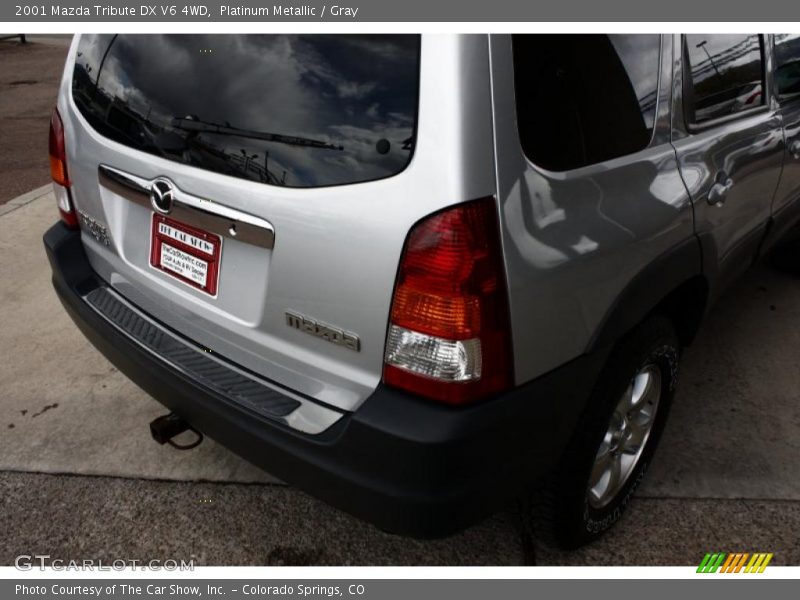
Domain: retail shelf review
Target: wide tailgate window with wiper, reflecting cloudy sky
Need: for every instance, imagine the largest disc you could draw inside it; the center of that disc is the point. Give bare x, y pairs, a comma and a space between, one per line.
288, 110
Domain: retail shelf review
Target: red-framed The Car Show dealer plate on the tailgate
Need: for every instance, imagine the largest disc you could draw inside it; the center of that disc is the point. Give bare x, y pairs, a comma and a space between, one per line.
192, 255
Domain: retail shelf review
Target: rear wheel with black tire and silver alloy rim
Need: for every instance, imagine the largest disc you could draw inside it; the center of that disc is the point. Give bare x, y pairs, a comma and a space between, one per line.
621, 426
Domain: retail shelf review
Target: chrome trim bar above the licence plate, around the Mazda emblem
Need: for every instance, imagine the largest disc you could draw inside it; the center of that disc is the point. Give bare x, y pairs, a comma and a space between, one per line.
192, 210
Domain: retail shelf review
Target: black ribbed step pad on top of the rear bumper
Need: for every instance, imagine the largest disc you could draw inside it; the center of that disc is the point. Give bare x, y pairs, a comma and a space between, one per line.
196, 363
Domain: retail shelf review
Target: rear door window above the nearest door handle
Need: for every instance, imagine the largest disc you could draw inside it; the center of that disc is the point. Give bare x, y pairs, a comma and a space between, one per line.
725, 75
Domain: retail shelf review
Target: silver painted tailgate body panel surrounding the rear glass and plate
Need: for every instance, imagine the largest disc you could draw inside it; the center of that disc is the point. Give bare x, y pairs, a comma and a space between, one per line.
336, 249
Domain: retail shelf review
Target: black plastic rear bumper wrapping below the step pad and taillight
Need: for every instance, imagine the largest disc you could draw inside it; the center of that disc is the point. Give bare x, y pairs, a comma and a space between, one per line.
407, 465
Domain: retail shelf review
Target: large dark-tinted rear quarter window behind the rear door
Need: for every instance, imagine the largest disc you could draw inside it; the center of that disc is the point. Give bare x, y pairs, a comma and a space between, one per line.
583, 99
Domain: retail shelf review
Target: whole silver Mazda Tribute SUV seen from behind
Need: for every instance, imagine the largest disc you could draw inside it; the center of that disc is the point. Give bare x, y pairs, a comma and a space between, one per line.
421, 277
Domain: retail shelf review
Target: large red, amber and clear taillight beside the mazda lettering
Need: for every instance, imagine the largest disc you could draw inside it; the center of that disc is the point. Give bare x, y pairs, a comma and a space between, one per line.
449, 337
